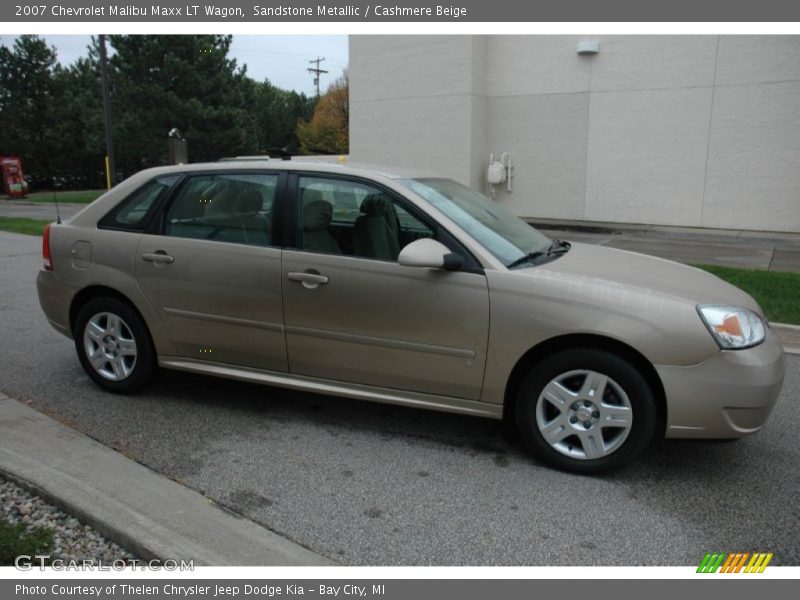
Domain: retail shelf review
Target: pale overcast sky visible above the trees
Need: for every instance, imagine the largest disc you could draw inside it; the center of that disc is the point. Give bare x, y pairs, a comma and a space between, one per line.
283, 59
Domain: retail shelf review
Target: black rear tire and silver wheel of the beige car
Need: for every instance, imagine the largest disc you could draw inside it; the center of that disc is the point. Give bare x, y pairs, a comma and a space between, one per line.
134, 372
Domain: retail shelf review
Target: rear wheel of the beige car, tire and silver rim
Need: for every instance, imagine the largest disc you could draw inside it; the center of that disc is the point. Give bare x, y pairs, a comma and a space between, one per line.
114, 346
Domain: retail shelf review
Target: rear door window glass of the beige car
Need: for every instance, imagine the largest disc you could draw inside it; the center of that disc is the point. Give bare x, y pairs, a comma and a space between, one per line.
234, 208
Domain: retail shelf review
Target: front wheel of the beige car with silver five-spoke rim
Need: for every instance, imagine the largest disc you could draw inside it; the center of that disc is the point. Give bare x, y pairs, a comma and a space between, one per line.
627, 398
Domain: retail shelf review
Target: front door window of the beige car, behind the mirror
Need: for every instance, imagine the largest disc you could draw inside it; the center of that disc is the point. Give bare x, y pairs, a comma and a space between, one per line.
355, 219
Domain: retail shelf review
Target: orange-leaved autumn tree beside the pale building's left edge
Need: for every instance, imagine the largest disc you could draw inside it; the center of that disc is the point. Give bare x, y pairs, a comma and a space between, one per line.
328, 130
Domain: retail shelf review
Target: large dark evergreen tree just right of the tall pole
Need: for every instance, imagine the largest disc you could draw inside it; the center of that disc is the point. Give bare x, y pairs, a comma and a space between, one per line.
162, 81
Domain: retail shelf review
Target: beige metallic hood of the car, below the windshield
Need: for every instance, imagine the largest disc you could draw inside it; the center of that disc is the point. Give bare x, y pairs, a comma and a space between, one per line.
658, 275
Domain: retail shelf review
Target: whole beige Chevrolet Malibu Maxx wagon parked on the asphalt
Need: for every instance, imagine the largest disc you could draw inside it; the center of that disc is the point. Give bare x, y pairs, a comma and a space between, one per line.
407, 290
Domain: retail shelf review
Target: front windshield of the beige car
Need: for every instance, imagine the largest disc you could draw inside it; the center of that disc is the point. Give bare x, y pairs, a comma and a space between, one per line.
507, 237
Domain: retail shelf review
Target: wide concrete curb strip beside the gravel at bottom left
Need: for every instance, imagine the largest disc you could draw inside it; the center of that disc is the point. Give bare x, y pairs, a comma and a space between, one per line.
139, 509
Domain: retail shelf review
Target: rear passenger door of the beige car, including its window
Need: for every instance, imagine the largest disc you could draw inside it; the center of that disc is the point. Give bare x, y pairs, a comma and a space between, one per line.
212, 269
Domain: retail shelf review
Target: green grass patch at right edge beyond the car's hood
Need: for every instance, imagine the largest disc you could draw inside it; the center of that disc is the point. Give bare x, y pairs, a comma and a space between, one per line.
777, 292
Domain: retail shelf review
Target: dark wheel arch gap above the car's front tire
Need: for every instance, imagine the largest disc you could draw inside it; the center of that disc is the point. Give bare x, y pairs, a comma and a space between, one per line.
592, 341
